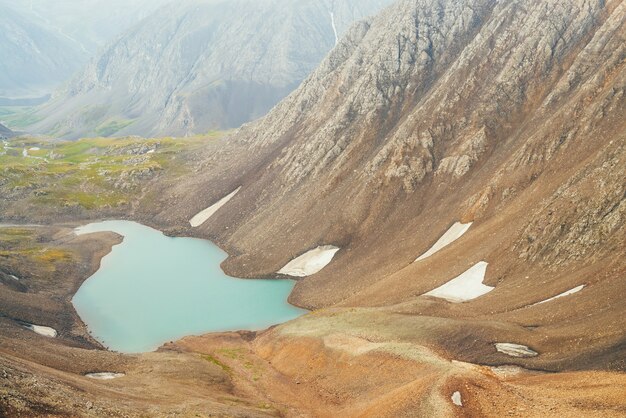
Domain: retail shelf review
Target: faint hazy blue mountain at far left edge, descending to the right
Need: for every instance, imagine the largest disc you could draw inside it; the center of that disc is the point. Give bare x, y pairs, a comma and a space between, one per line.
35, 59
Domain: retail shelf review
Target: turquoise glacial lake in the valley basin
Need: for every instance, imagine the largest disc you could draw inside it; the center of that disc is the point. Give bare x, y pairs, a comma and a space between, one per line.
152, 289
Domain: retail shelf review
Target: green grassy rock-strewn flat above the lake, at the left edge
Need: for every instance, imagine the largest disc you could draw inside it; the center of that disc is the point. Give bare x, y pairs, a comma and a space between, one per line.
92, 173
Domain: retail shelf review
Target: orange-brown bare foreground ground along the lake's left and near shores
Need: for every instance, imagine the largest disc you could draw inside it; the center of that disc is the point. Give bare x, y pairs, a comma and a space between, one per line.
334, 362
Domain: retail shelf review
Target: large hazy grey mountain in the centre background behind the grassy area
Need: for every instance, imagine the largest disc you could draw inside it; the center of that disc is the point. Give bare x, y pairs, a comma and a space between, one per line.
201, 65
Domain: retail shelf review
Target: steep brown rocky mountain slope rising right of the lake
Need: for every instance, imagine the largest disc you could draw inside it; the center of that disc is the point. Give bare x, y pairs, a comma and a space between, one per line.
458, 111
